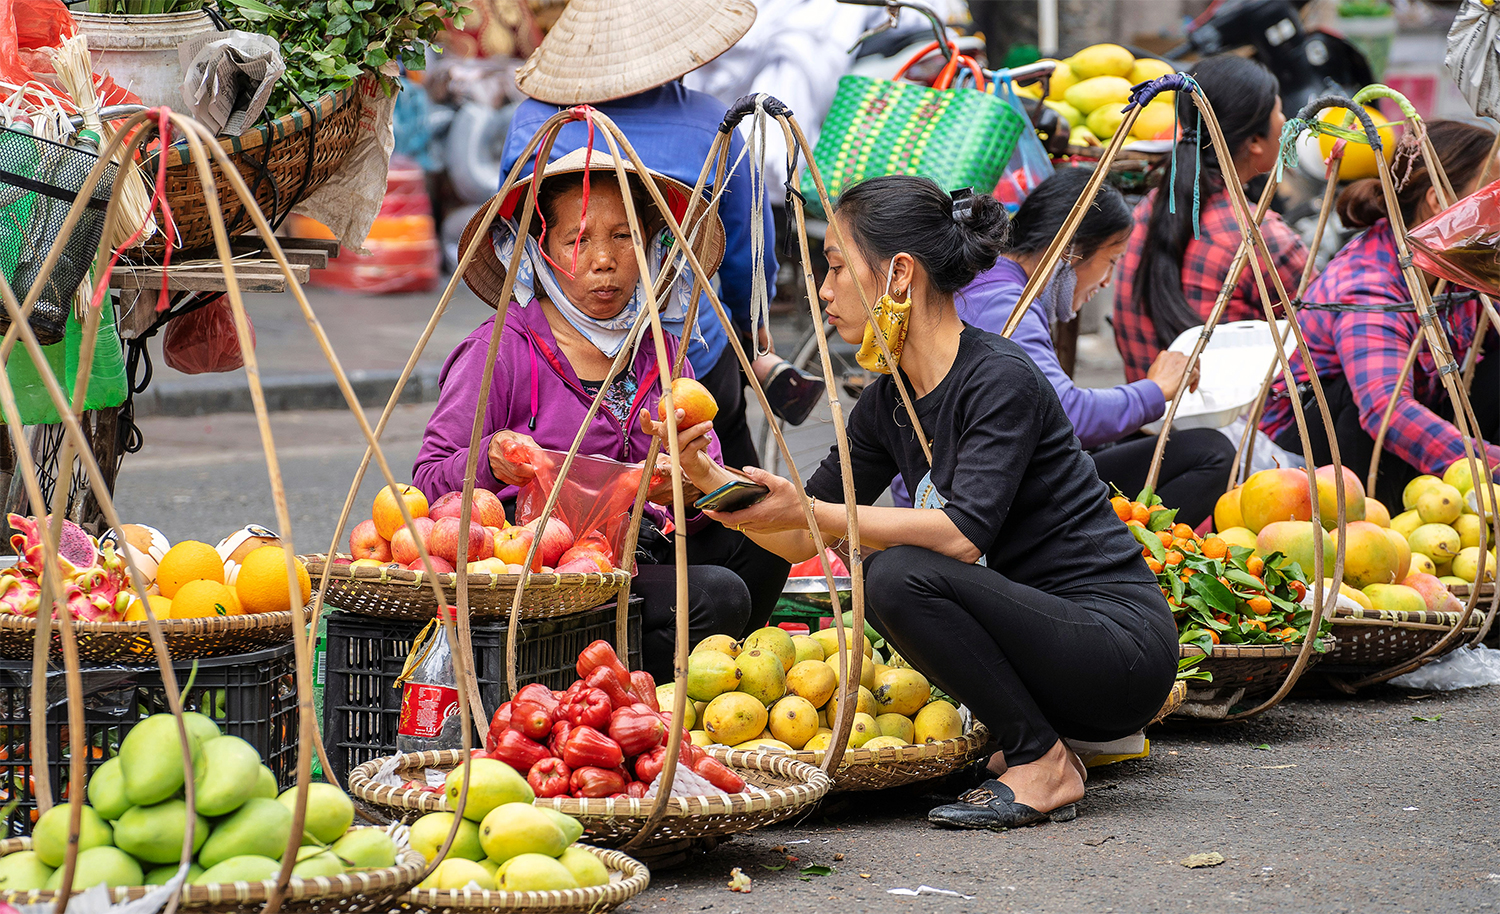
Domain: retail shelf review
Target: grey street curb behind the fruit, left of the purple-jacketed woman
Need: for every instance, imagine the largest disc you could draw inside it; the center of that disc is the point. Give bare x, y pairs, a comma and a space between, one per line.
284, 392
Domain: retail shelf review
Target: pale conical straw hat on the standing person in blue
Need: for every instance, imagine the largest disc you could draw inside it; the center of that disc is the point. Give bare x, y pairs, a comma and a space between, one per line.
602, 50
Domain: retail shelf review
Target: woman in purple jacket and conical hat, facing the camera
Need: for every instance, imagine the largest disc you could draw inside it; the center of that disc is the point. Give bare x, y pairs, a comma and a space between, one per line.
578, 293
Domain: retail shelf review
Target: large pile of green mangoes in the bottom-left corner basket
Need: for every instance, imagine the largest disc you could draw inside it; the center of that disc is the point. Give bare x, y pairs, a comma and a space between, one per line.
134, 825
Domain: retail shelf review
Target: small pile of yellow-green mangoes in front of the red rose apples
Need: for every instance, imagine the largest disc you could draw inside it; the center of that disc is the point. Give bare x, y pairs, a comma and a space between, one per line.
505, 843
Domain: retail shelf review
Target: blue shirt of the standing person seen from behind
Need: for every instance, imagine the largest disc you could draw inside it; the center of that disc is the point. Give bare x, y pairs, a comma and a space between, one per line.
673, 130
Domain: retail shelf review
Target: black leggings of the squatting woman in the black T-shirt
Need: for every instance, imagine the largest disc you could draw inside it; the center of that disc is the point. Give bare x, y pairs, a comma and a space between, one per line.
1031, 666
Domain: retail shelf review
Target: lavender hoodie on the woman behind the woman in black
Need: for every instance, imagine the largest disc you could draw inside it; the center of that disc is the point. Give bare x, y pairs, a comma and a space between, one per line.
1099, 415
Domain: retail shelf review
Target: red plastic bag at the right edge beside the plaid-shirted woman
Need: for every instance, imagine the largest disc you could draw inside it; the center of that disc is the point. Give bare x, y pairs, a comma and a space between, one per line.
1463, 242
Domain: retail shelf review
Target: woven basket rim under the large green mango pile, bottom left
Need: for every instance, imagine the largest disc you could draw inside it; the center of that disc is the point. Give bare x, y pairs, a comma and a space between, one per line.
364, 891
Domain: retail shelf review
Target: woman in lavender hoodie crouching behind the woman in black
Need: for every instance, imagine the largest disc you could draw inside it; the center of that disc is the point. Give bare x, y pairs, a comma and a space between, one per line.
1106, 419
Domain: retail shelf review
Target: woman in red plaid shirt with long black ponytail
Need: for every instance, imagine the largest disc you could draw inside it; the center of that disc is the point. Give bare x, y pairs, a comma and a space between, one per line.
1172, 272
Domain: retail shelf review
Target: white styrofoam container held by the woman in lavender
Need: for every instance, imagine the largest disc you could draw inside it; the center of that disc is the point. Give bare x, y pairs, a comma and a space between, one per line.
1231, 371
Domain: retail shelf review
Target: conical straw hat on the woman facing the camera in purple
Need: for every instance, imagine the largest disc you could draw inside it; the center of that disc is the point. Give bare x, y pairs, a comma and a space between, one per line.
487, 275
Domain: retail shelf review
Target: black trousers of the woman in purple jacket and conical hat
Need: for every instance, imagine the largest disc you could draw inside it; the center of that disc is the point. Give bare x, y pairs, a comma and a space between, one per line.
733, 588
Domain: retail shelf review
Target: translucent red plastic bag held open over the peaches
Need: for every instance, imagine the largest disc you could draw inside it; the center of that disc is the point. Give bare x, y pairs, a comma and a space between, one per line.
596, 499
